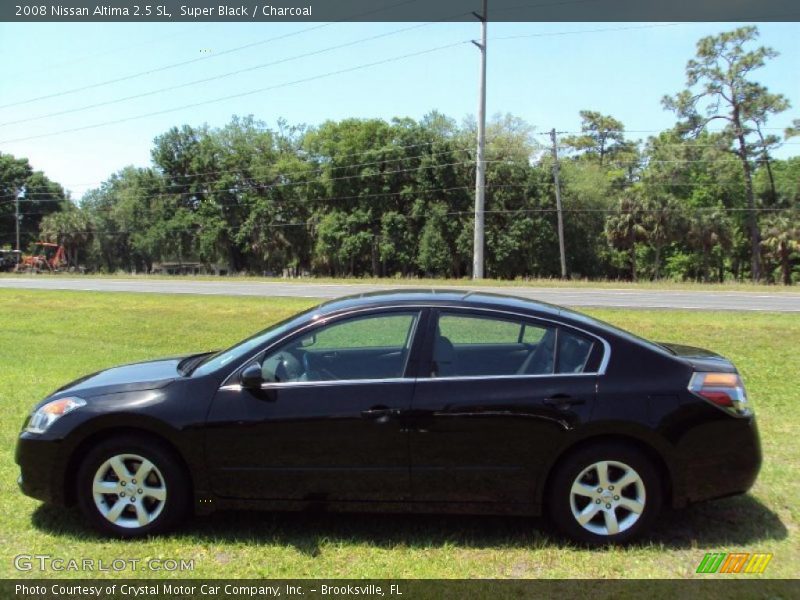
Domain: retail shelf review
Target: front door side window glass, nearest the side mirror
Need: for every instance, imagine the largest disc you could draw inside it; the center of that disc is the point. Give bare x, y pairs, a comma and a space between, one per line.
359, 348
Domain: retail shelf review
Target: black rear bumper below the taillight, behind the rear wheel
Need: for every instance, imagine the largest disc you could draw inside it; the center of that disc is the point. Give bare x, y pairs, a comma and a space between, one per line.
725, 462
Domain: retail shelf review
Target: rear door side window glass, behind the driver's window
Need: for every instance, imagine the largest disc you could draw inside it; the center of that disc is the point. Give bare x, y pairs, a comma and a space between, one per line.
475, 345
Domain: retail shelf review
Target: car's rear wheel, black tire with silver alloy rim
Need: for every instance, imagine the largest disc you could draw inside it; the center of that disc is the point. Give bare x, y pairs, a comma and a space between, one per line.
585, 461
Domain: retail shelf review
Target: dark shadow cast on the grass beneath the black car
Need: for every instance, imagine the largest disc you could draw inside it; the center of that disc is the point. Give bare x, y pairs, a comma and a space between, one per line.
738, 521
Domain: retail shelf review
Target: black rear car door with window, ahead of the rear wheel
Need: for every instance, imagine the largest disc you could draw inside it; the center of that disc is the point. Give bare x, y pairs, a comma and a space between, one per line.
496, 396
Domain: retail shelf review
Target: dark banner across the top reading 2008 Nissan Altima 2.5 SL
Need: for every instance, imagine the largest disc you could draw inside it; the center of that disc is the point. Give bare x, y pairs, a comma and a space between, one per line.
398, 10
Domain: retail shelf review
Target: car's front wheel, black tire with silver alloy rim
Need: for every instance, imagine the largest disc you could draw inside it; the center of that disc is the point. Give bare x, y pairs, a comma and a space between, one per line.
168, 473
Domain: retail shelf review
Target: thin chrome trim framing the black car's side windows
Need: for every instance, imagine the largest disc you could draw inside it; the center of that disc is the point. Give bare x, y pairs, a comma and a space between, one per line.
318, 319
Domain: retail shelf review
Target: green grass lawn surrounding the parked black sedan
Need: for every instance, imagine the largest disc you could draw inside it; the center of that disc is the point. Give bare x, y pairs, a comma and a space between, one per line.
49, 338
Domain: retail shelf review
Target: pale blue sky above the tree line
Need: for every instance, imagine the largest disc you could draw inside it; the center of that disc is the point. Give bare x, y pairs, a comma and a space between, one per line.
306, 73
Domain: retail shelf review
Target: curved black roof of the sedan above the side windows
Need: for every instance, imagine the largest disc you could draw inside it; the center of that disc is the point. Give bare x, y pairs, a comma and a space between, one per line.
436, 297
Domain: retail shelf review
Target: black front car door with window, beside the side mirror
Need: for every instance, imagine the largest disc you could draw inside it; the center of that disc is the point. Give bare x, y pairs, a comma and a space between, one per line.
324, 425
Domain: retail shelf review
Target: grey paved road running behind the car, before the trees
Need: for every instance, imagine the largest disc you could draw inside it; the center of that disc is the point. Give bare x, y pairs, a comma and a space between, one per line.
750, 301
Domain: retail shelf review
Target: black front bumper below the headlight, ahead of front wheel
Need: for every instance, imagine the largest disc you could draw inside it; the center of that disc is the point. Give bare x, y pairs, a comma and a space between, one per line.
41, 462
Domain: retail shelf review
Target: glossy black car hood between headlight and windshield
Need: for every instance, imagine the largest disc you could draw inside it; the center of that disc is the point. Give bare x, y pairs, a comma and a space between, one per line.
126, 378
